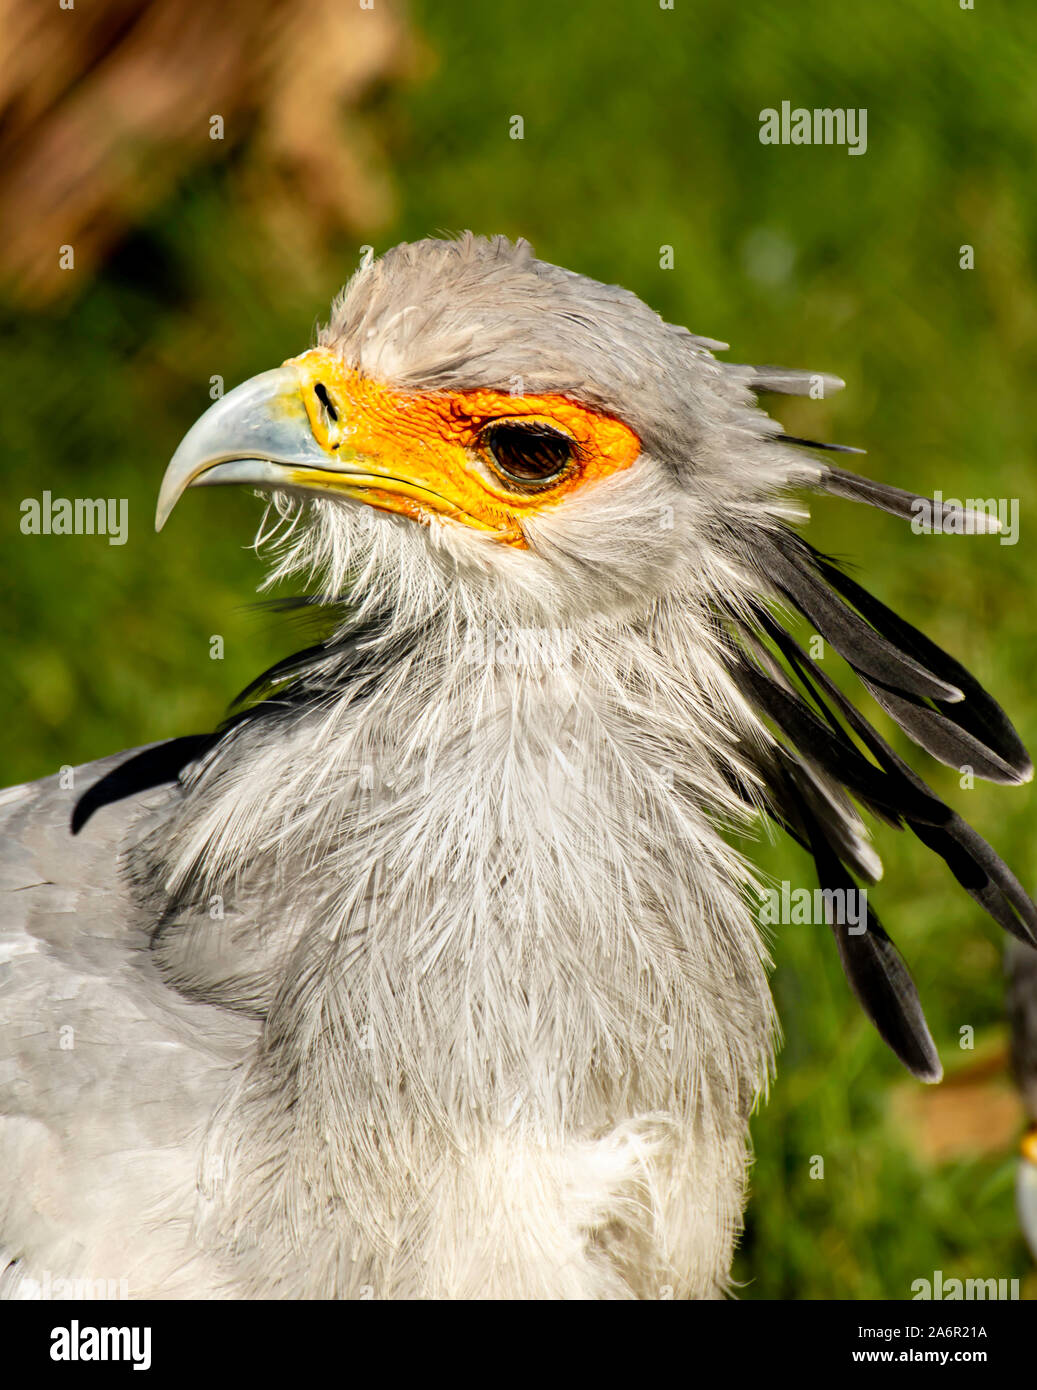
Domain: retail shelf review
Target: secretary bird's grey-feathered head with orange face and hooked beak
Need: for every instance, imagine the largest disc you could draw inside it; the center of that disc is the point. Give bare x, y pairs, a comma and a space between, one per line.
475, 416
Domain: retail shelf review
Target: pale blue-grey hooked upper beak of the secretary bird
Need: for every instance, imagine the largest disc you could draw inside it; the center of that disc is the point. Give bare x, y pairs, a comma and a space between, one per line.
243, 439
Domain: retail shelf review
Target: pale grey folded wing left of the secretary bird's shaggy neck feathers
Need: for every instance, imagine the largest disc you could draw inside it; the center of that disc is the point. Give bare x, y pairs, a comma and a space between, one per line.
108, 1077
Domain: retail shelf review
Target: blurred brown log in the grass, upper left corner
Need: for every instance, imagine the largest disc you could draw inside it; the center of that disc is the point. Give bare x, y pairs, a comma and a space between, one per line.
106, 106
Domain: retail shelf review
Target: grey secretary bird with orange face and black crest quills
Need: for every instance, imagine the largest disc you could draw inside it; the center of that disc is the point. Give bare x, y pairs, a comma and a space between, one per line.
433, 972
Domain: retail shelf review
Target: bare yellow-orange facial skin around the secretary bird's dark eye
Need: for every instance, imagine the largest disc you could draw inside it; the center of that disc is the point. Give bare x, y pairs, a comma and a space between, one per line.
420, 454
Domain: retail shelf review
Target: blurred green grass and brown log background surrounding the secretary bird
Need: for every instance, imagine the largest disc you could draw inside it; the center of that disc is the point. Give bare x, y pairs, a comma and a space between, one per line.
348, 127
